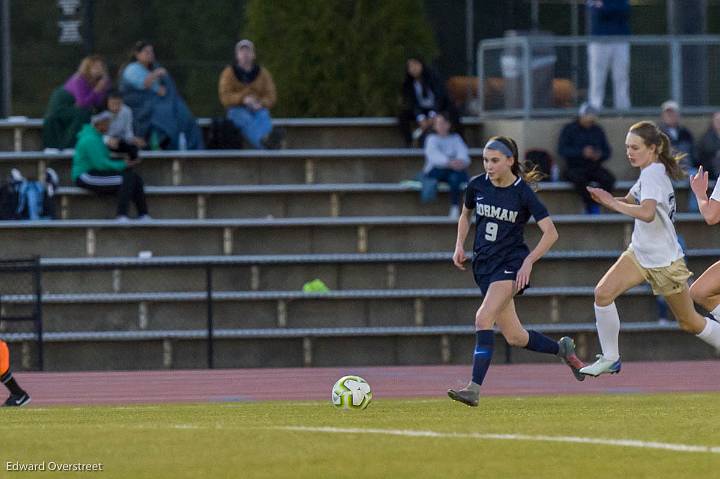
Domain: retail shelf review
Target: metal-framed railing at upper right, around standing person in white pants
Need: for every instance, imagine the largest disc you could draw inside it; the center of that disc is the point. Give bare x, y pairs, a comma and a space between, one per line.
518, 75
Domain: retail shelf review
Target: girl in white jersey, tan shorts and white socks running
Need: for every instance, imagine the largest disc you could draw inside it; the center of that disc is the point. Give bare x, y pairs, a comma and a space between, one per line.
654, 254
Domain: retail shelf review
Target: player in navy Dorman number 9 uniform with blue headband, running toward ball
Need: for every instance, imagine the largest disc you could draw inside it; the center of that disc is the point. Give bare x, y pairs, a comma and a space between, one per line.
503, 202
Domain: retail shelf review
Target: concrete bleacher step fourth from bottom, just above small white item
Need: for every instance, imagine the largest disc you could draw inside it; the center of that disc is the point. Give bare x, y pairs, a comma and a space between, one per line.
77, 238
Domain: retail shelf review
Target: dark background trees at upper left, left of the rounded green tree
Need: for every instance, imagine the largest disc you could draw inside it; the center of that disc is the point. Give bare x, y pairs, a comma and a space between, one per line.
194, 39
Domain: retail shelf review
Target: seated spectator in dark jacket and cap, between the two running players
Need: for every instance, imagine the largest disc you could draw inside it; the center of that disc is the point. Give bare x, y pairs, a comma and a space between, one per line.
584, 147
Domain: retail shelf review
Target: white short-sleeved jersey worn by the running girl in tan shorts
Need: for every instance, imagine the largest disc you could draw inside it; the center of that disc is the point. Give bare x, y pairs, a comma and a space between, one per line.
655, 244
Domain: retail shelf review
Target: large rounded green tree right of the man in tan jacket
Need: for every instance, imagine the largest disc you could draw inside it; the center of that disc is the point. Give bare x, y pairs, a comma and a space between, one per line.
337, 57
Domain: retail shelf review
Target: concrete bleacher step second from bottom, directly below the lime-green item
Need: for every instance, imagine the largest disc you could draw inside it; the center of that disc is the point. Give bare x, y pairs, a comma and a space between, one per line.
293, 309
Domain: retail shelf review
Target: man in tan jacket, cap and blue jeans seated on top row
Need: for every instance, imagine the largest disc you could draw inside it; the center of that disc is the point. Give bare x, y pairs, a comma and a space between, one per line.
247, 91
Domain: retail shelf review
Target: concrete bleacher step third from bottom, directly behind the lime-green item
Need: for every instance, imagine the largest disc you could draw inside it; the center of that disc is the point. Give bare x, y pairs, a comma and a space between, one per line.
351, 273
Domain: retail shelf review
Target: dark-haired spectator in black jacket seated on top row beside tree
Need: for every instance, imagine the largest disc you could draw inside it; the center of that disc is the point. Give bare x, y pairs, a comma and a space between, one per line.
423, 97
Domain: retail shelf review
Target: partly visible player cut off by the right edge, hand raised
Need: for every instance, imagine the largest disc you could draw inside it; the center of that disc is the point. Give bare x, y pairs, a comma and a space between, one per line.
705, 291
